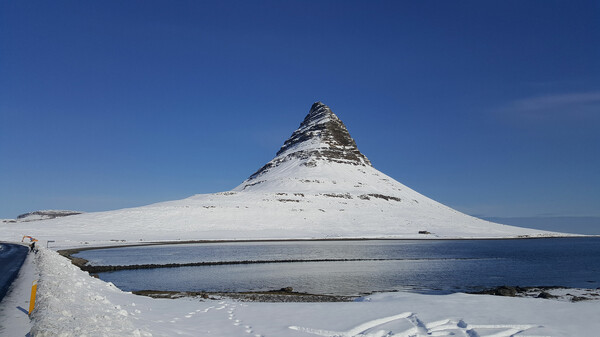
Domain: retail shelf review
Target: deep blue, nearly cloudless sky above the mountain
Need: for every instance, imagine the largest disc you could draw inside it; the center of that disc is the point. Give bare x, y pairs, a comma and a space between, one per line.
491, 107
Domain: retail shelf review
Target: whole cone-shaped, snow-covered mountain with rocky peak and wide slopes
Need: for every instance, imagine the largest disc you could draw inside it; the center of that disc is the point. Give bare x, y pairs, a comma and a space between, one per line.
319, 185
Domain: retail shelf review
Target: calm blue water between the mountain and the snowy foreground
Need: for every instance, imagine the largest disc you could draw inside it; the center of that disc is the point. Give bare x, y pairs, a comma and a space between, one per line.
422, 266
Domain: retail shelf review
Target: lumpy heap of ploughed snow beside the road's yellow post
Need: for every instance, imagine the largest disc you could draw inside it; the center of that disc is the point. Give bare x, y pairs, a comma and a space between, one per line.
71, 303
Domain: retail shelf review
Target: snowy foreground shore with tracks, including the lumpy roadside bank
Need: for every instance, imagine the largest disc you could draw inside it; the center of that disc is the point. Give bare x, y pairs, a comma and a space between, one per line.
71, 303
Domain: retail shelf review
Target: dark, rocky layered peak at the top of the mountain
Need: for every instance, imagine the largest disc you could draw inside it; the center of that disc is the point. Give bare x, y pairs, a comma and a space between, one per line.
321, 136
